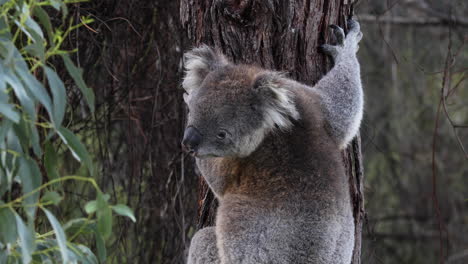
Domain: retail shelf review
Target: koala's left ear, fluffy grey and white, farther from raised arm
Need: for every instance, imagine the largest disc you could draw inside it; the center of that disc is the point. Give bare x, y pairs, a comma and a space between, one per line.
198, 63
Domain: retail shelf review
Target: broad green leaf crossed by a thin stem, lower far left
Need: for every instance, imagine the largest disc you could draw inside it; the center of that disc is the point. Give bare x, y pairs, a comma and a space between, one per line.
31, 179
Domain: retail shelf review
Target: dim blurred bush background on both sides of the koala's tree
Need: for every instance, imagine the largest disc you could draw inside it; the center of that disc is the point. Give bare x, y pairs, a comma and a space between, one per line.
415, 136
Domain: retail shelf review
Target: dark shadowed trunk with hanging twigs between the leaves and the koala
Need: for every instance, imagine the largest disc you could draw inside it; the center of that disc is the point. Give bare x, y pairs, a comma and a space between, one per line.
131, 59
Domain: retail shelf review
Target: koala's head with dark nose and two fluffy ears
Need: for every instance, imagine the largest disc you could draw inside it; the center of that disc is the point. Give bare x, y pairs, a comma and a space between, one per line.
231, 107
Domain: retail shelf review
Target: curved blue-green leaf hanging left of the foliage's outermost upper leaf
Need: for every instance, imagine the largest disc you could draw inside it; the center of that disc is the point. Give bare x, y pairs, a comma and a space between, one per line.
59, 94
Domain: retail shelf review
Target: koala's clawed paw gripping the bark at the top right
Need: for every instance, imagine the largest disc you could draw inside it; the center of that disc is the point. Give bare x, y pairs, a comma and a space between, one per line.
344, 45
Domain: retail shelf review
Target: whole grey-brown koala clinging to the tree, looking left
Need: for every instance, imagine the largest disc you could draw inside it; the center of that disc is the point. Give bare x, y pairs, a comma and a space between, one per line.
269, 148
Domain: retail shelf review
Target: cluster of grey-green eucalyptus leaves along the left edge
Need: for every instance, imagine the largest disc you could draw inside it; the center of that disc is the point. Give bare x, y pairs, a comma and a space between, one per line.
33, 107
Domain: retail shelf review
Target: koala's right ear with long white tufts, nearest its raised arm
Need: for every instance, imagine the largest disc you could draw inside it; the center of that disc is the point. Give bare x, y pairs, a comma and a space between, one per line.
277, 102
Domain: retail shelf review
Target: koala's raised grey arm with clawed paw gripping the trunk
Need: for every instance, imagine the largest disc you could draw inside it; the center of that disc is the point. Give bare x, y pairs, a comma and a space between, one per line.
340, 89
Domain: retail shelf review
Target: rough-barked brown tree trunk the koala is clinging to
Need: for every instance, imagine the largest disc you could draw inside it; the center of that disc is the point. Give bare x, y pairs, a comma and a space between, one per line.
282, 36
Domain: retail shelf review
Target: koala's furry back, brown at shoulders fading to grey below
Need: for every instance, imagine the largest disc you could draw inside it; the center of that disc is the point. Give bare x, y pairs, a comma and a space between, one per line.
289, 201
